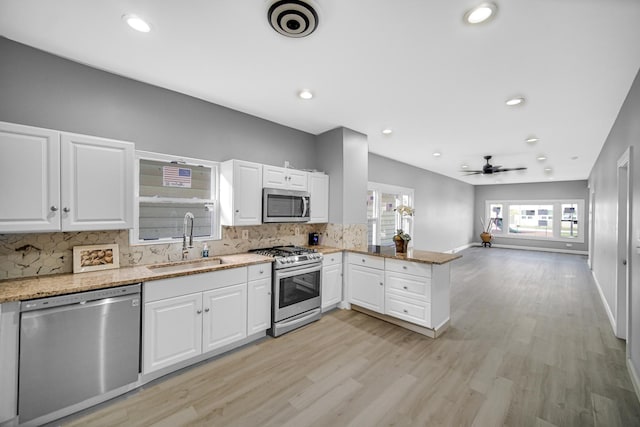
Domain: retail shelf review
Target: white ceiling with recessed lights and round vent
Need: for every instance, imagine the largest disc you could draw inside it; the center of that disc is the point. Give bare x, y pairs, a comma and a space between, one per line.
411, 65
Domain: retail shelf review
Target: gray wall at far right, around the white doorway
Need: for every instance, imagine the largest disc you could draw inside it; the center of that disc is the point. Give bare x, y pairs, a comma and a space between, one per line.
603, 181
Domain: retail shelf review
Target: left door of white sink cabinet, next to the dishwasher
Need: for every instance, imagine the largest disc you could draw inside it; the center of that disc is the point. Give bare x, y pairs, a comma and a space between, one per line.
172, 331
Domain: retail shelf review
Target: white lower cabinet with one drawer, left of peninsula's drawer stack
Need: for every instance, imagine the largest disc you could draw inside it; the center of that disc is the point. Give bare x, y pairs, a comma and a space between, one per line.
366, 281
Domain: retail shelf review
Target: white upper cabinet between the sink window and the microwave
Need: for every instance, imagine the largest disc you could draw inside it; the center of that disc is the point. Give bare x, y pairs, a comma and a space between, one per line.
241, 193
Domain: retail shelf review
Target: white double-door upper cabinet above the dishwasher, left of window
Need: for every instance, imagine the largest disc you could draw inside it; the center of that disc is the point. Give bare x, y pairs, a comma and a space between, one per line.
58, 181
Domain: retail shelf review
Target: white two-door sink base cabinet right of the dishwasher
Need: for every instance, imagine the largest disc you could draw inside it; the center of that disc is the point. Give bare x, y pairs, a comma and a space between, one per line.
187, 316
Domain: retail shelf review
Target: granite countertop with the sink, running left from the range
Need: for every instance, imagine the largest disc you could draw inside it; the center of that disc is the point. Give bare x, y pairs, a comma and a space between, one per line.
59, 284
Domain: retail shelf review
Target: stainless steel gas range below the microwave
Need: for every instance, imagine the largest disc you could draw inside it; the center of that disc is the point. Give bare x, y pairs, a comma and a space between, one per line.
296, 287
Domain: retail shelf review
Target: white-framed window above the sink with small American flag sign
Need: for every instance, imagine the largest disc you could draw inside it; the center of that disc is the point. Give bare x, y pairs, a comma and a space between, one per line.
167, 188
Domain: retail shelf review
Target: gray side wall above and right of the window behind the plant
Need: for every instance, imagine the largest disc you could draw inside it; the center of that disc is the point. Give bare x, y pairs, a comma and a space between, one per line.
444, 206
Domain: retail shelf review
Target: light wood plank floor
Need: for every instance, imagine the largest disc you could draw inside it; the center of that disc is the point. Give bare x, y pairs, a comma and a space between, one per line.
529, 345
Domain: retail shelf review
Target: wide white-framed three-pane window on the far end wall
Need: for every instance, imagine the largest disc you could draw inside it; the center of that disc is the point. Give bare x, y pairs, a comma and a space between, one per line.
537, 219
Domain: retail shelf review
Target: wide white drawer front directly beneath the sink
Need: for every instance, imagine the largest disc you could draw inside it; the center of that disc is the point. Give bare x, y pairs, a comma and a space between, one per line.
176, 286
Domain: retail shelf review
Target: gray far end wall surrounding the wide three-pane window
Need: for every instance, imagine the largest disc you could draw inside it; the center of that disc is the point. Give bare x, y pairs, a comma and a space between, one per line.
535, 191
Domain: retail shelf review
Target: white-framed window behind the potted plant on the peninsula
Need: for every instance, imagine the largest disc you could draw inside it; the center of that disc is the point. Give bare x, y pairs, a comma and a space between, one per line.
382, 219
